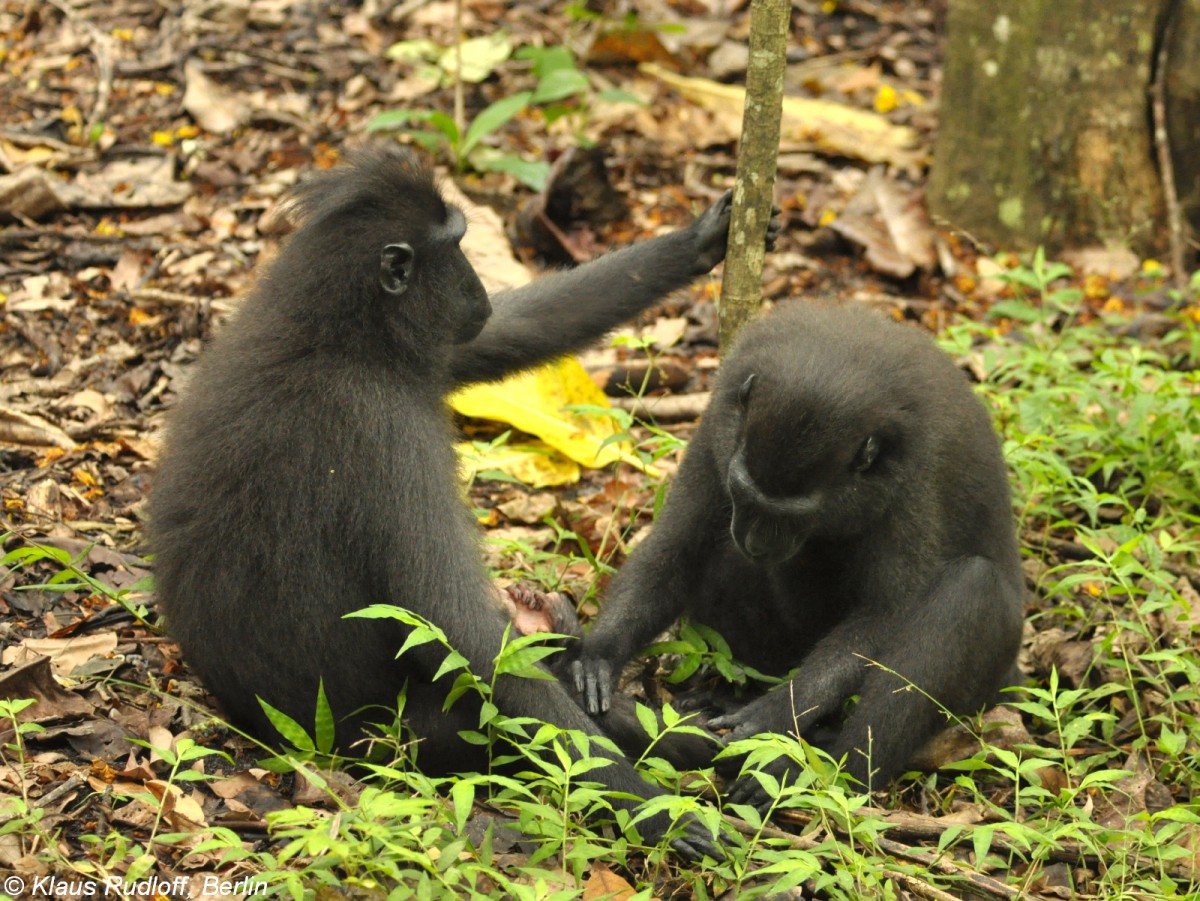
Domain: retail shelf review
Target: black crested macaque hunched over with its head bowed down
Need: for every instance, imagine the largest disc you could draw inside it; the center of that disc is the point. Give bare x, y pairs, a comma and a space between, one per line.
844, 501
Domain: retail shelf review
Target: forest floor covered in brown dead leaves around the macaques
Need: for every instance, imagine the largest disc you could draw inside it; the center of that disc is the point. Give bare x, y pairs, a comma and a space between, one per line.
146, 147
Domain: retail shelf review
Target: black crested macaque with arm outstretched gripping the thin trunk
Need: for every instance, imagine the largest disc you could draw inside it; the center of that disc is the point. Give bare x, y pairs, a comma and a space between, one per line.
309, 470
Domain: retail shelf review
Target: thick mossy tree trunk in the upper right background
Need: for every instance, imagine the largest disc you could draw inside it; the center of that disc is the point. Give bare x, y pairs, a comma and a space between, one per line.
1047, 130
